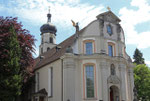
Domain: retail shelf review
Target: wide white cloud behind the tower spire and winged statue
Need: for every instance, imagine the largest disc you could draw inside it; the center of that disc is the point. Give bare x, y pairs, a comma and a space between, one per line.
62, 11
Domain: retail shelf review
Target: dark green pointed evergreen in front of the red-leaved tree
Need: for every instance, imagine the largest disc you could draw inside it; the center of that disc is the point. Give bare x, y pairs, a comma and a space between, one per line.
10, 79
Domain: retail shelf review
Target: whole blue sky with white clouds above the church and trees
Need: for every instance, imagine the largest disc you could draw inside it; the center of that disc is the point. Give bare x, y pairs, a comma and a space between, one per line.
134, 15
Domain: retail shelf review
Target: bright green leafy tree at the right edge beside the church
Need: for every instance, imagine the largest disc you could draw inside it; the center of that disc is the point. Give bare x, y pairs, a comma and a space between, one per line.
142, 81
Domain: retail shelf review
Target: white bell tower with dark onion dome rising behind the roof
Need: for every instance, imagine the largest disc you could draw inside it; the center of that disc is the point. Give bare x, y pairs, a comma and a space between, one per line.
48, 35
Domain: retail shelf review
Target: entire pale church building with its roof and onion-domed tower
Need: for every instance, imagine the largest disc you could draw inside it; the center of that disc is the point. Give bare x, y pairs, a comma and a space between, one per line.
91, 65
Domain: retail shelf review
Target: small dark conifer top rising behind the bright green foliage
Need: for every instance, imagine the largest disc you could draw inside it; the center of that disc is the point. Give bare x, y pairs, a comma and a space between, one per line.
138, 57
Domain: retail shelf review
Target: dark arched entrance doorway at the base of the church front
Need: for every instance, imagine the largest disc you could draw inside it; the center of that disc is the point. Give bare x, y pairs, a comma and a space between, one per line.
114, 93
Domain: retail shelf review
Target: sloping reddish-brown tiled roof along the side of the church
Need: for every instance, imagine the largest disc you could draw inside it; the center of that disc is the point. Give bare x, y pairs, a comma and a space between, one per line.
54, 54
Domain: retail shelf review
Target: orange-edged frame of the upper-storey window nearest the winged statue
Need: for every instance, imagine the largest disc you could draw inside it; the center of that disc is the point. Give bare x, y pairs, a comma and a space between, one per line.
93, 46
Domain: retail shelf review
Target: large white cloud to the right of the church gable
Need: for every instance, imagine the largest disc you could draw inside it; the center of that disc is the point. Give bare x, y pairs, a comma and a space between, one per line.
131, 18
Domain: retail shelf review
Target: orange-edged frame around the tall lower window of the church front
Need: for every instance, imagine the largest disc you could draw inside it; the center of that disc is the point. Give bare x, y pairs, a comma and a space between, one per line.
84, 81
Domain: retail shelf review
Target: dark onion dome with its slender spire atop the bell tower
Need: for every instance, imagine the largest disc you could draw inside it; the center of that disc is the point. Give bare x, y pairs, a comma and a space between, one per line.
48, 27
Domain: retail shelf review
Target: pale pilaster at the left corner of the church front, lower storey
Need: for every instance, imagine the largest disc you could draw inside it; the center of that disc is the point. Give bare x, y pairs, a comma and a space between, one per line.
69, 77
